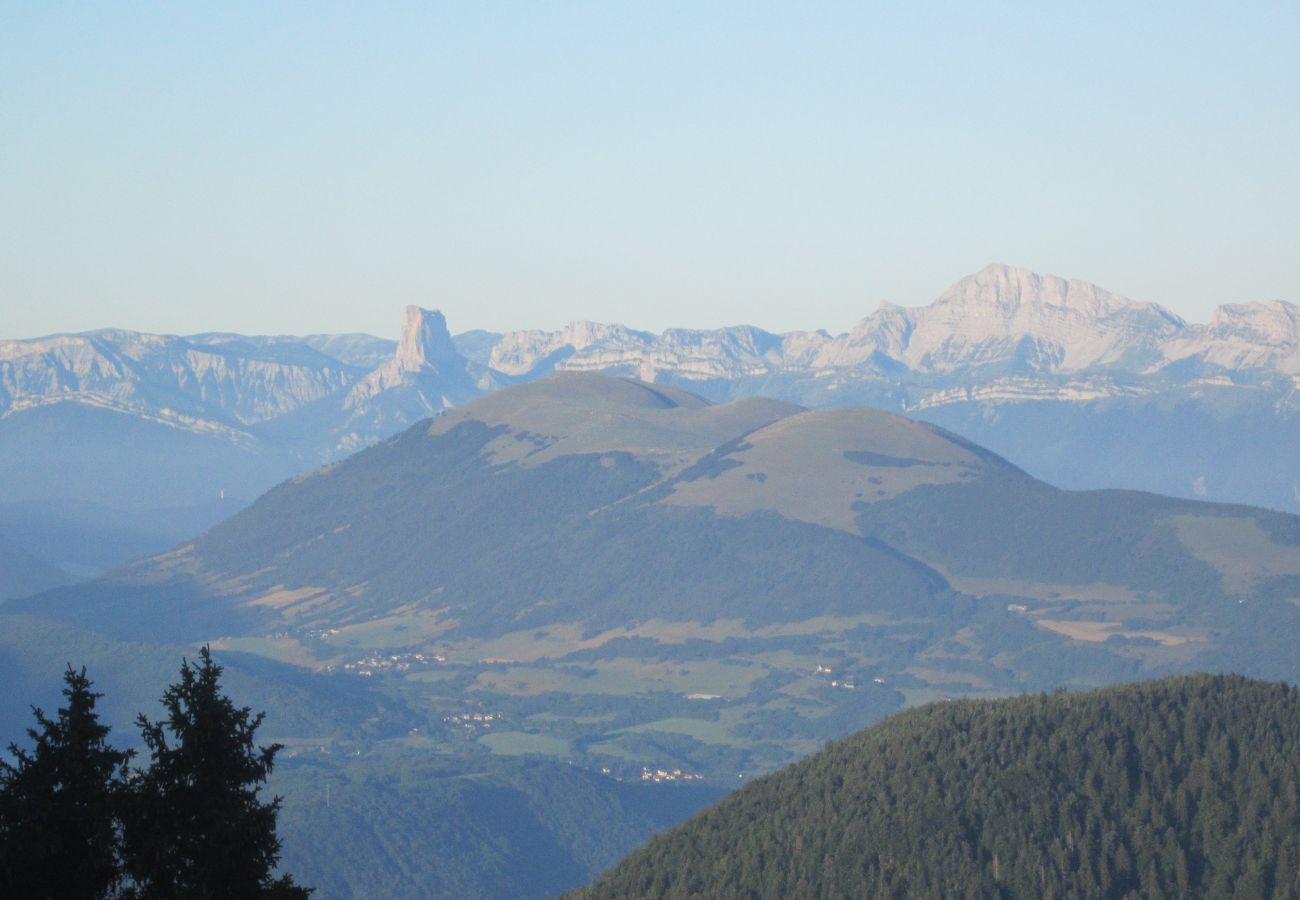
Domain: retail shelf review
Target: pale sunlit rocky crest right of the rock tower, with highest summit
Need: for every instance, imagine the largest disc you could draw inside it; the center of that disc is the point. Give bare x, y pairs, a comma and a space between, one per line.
999, 323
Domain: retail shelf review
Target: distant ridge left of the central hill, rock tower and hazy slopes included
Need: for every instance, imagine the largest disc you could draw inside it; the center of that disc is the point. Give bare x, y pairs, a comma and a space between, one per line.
140, 422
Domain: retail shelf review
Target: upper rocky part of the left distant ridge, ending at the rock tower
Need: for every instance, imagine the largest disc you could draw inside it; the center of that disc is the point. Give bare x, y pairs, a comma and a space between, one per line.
236, 387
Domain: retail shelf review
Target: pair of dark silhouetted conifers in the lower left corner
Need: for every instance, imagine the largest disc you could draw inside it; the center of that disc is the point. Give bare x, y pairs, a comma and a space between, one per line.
79, 820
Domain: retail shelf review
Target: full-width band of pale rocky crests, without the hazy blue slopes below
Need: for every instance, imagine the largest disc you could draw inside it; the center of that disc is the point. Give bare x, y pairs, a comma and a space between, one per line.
1002, 335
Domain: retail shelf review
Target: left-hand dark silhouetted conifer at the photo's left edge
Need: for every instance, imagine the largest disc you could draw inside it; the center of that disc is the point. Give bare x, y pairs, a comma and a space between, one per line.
58, 834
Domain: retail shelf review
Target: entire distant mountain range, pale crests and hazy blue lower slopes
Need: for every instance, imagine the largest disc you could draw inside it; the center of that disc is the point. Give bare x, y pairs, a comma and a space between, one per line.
1081, 387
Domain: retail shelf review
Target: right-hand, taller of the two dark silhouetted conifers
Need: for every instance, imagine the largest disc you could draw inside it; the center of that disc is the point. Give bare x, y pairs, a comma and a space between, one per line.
194, 825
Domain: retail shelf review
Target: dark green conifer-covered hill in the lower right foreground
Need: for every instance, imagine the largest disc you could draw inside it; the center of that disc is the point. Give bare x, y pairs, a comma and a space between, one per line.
1173, 789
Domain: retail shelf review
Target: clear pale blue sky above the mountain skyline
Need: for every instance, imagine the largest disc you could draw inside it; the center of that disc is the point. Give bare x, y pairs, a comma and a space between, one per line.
274, 168
